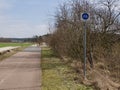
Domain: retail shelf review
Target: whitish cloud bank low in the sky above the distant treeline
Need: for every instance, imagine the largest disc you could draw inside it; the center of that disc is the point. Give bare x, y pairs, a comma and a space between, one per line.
22, 29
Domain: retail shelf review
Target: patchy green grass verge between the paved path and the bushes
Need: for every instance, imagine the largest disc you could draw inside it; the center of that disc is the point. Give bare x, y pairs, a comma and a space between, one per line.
56, 75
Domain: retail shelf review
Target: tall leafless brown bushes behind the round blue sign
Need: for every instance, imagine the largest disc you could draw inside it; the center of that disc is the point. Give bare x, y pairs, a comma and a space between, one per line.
102, 29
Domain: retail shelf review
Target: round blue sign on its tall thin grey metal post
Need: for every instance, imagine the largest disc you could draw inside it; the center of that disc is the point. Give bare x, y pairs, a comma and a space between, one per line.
84, 17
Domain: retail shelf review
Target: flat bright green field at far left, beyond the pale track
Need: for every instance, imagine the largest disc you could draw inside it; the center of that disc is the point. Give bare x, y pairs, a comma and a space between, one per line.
14, 44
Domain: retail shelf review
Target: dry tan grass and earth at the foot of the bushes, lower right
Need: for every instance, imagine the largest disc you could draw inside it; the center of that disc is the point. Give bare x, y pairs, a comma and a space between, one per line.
95, 77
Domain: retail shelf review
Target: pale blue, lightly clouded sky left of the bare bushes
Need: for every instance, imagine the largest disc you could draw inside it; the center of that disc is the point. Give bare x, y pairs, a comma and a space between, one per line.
26, 18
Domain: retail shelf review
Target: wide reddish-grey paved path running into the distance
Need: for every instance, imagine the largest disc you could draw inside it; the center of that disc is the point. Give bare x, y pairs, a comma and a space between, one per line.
21, 71
